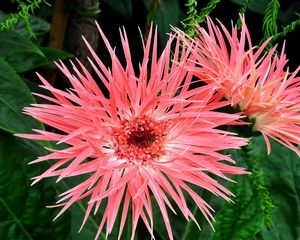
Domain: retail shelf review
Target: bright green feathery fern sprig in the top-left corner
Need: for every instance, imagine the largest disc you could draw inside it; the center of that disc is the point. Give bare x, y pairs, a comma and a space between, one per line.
24, 13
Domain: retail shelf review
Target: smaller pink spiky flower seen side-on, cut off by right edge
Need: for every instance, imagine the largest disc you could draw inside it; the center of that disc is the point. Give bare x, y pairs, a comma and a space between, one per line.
256, 83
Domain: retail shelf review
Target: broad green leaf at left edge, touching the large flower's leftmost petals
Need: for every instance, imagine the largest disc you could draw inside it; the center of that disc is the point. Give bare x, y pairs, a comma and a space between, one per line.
14, 96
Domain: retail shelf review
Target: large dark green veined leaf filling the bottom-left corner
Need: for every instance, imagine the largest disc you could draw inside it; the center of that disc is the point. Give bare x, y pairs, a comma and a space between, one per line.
23, 212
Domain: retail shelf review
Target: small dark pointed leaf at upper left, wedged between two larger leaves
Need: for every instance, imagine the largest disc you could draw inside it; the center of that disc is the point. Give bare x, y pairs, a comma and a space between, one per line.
24, 62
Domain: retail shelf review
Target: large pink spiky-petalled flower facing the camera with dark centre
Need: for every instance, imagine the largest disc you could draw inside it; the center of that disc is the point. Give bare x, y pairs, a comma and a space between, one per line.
137, 137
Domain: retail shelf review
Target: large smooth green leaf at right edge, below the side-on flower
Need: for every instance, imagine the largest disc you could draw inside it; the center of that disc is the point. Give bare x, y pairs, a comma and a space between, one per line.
282, 176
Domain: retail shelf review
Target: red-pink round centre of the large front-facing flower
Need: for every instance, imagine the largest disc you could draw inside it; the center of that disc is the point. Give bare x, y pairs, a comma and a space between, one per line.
139, 139
